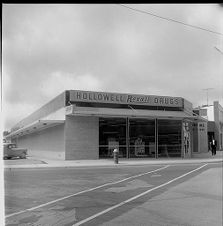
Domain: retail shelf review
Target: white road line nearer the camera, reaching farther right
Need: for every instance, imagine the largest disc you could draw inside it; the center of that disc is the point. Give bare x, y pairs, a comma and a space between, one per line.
135, 197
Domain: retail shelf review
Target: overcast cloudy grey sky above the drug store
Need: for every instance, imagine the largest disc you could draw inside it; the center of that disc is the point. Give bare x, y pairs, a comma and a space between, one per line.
50, 48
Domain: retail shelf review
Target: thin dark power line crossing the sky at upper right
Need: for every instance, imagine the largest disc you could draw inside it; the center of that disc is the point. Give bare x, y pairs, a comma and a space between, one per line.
169, 19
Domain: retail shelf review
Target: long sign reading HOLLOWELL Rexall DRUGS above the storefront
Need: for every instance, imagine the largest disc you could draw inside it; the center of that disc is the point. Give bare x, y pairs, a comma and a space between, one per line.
132, 99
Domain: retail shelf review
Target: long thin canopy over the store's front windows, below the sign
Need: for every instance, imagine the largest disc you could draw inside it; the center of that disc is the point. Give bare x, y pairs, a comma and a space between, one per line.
123, 112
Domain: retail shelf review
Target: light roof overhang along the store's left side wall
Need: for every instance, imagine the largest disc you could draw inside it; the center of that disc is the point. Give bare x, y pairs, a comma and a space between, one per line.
34, 127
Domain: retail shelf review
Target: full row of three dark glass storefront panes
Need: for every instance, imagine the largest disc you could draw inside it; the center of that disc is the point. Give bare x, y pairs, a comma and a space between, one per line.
136, 137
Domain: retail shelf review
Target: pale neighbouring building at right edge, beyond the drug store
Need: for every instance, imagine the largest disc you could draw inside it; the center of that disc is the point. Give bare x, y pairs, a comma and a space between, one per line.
214, 115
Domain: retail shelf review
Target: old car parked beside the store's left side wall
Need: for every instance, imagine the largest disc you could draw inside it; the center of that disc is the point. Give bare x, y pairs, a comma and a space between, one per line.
11, 151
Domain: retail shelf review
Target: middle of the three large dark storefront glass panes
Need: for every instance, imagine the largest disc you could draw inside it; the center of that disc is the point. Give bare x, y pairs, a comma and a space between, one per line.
141, 138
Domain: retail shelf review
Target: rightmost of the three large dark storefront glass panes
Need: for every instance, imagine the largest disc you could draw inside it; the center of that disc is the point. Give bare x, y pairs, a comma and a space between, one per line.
169, 138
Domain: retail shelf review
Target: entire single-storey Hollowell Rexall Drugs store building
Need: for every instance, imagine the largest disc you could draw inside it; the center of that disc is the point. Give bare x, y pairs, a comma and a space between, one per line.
90, 125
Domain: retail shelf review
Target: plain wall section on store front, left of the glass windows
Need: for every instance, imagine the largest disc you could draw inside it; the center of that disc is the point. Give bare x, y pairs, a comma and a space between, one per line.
81, 137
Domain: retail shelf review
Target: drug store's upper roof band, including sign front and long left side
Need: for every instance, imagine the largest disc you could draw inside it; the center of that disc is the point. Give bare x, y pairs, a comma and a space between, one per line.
110, 99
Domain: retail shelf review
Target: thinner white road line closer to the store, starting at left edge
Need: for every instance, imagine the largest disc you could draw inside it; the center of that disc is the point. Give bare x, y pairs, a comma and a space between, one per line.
81, 192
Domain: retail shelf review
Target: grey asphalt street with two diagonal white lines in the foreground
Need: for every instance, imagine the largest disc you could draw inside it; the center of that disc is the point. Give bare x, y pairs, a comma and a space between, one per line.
99, 196
